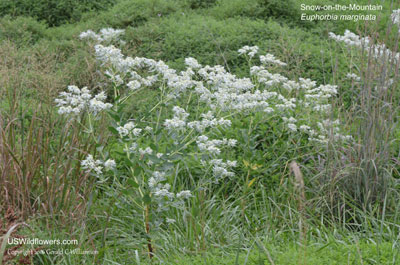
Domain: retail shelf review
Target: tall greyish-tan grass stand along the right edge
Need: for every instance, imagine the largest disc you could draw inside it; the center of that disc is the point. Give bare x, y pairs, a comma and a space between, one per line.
358, 179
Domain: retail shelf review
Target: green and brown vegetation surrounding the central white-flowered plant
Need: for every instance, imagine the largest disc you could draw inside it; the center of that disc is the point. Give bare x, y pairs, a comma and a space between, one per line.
255, 218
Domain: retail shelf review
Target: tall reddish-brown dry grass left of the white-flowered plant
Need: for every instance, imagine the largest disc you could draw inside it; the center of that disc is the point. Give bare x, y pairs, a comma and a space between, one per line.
38, 149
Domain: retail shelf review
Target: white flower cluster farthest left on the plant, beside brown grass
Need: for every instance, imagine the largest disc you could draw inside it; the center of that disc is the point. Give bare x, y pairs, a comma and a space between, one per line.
76, 100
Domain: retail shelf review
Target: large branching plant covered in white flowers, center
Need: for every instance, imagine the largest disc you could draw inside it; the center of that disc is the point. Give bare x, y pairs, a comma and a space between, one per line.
184, 133
